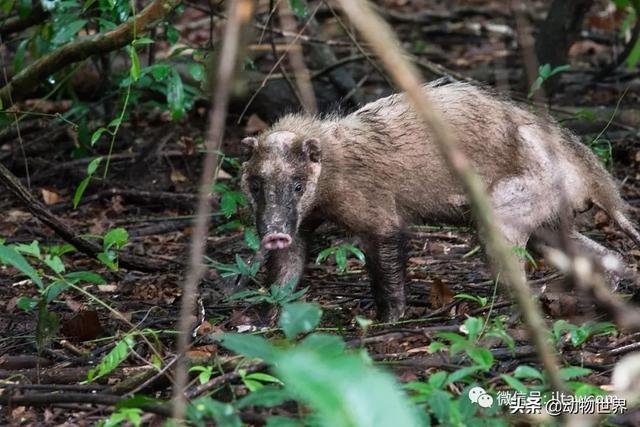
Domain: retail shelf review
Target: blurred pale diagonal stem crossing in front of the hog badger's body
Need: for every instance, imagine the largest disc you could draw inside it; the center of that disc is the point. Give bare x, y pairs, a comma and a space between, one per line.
384, 42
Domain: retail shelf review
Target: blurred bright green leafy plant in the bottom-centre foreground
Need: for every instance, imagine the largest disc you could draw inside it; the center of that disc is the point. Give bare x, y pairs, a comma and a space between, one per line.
342, 388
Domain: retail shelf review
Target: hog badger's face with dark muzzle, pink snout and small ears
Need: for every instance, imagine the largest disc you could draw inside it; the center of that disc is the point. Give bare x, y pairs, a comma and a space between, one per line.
280, 181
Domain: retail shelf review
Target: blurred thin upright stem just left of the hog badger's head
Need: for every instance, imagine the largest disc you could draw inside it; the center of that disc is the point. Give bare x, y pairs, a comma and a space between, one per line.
240, 13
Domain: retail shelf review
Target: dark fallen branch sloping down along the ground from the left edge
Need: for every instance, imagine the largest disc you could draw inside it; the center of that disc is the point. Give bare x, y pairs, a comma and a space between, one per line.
40, 211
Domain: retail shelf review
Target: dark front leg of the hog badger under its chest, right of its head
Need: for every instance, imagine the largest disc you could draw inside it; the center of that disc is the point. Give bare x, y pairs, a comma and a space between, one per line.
385, 256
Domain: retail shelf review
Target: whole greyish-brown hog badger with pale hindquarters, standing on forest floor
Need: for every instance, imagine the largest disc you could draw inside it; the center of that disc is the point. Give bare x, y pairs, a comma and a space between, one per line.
377, 170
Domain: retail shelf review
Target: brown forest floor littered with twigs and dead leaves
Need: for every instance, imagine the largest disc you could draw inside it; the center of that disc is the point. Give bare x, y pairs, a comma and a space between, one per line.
152, 196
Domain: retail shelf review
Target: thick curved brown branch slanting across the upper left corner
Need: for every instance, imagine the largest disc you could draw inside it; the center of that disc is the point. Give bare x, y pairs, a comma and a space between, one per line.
29, 78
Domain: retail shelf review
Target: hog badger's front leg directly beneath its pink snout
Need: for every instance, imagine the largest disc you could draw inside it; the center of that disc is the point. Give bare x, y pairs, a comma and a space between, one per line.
286, 265
